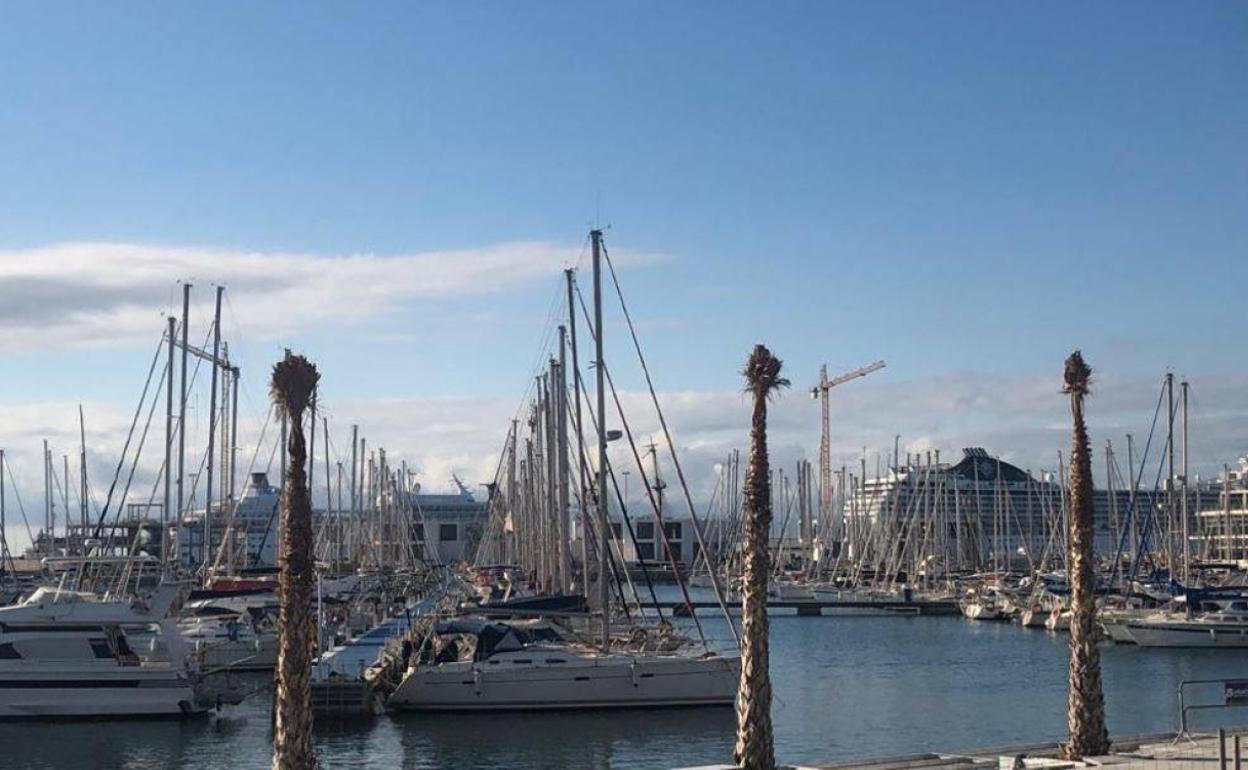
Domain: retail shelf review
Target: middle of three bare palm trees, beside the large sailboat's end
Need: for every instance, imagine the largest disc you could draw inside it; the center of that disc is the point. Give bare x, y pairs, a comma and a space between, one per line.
756, 749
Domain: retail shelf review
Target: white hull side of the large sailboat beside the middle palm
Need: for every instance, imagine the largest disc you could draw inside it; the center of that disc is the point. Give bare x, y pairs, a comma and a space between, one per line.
555, 681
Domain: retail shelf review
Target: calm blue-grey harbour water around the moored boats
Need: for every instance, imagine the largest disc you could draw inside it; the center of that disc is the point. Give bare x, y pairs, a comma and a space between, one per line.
846, 688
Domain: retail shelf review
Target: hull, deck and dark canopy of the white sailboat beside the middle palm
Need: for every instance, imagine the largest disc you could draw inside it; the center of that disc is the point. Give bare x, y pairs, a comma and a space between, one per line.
471, 665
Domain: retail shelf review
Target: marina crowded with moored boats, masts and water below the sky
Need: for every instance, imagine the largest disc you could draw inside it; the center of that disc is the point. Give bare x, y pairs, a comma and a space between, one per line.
927, 597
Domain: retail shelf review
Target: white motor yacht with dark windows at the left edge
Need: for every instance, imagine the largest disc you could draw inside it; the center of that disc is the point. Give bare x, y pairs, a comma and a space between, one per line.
66, 655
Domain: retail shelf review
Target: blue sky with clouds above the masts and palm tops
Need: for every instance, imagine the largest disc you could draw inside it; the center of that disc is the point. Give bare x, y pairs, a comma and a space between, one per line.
965, 190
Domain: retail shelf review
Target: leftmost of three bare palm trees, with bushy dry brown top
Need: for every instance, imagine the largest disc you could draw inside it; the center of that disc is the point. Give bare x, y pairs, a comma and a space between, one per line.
293, 386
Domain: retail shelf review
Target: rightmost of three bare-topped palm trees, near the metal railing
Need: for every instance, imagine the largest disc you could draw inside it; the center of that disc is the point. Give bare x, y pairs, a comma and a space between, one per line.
1085, 713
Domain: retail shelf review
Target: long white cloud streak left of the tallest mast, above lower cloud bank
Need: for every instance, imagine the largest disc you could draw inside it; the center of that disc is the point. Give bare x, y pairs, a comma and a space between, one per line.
87, 295
